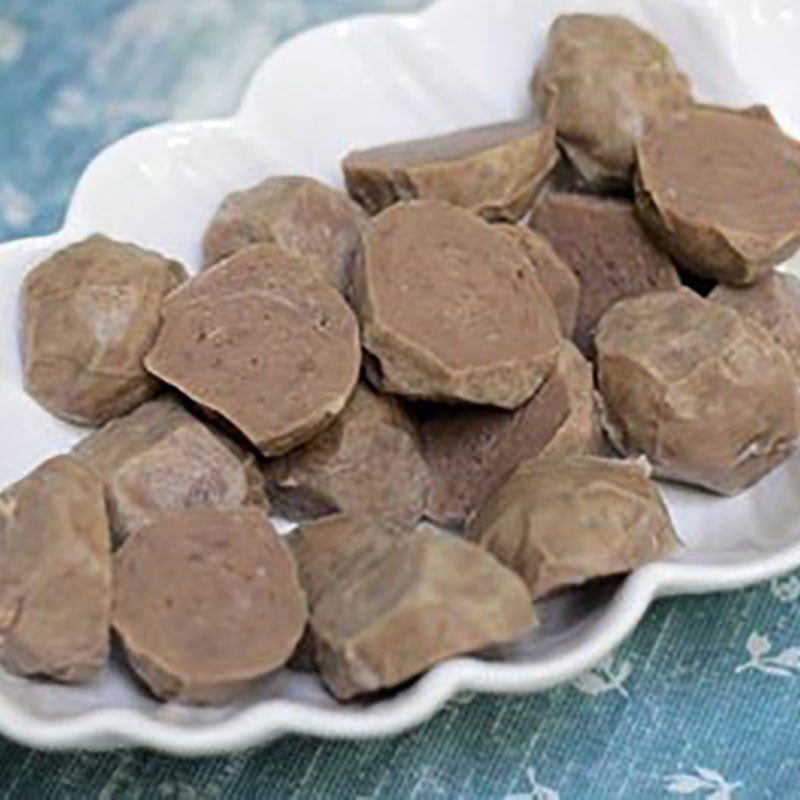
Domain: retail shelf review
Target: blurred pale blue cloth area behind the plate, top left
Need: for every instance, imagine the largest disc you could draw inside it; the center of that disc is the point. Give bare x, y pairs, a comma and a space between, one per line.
75, 75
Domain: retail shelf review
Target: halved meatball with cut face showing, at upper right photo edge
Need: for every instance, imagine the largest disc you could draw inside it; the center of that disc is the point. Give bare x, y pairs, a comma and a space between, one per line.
720, 190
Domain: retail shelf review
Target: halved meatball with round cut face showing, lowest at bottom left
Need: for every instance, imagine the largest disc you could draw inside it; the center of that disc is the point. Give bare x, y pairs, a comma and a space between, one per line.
206, 602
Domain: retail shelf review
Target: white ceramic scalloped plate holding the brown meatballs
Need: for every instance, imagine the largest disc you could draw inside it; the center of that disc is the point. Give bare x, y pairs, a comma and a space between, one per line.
346, 85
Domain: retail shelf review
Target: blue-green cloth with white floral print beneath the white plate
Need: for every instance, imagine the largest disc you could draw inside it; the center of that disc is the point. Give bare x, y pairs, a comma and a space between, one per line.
702, 702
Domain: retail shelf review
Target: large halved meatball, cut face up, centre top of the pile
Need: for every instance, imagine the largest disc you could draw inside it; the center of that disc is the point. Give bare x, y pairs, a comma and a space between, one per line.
450, 308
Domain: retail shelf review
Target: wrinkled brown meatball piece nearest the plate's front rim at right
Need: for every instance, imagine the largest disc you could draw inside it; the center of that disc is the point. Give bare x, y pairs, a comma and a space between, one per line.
559, 524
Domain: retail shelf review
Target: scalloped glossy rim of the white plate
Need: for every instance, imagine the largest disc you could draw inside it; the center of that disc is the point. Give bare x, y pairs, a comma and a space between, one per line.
112, 728
